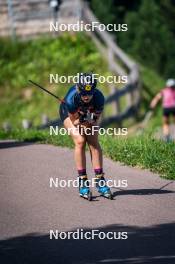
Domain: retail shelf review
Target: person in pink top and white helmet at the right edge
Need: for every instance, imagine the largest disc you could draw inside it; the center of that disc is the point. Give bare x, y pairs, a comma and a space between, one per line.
168, 103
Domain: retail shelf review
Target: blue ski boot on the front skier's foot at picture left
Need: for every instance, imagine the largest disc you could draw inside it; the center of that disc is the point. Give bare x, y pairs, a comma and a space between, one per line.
84, 190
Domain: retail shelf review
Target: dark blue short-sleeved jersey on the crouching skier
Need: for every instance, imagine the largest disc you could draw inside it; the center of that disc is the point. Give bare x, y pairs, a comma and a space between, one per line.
74, 103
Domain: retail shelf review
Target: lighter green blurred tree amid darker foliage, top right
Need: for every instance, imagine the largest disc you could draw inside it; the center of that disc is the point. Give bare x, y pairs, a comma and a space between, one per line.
149, 38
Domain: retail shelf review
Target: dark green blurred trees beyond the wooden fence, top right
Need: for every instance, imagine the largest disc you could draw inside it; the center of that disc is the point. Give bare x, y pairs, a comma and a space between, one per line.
151, 30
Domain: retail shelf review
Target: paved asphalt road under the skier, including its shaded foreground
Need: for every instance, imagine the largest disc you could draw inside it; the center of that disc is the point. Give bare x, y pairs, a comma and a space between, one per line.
30, 209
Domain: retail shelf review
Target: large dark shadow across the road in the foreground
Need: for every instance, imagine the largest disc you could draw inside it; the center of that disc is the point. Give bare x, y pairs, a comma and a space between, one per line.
153, 245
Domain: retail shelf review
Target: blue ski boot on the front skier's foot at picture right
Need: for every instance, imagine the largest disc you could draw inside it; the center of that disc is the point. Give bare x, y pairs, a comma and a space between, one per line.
102, 187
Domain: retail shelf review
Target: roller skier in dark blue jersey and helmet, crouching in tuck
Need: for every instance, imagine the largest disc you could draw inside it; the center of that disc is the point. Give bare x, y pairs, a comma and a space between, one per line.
81, 109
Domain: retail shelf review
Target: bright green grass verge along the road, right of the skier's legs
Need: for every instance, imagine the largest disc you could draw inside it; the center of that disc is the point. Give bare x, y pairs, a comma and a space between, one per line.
143, 152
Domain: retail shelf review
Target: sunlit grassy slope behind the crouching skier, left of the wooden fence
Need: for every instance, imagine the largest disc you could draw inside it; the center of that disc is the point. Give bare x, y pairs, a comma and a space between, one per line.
35, 60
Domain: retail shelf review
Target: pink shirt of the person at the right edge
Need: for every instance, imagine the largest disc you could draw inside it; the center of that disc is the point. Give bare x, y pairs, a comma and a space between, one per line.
168, 96
